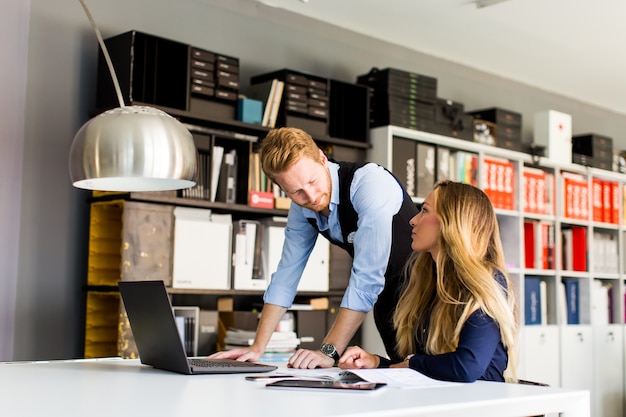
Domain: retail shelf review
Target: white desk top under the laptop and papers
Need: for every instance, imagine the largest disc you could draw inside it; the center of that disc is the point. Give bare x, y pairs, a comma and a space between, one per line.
127, 388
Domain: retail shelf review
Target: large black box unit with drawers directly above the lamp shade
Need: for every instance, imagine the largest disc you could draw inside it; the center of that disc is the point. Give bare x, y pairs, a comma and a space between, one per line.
162, 72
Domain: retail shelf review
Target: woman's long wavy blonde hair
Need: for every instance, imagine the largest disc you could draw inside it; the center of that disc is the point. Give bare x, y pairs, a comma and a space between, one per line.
461, 279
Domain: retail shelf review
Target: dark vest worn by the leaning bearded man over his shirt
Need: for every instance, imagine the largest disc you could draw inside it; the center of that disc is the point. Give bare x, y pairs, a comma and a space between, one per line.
400, 250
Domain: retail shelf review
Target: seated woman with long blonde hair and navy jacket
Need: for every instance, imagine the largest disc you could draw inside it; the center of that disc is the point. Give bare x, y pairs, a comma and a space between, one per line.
456, 319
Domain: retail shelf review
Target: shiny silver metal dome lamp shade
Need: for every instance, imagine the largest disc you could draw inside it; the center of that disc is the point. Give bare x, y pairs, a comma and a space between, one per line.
133, 148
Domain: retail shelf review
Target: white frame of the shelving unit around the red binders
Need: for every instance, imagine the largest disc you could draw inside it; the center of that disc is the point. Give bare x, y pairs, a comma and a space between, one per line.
589, 355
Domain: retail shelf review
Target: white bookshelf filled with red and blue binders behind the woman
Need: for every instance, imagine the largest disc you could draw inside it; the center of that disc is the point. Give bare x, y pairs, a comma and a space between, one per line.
572, 219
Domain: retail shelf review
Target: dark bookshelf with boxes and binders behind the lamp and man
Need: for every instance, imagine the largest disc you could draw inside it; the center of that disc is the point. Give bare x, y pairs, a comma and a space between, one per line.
139, 236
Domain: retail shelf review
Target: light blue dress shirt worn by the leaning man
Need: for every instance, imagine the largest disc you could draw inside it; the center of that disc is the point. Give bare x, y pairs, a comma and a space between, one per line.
372, 240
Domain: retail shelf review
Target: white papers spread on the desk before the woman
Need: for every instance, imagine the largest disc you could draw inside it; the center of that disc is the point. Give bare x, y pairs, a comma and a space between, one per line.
393, 377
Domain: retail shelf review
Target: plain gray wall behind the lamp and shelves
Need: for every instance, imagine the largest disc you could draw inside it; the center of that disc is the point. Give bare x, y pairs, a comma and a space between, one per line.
59, 96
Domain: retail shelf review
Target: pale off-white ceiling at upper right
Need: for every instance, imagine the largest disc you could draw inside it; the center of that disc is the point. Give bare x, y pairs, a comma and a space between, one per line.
575, 48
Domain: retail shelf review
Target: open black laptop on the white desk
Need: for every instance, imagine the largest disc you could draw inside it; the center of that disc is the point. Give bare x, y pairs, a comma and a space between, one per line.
158, 340
